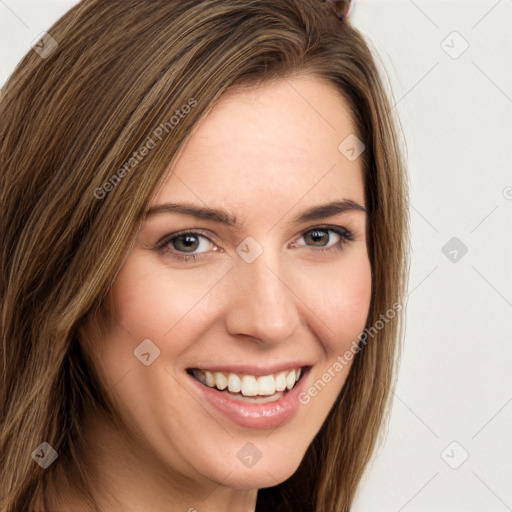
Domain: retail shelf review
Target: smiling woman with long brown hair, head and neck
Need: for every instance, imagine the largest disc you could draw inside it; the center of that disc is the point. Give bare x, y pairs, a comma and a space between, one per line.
204, 254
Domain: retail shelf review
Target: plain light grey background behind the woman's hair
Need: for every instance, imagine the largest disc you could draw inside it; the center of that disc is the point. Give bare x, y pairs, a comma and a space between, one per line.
456, 114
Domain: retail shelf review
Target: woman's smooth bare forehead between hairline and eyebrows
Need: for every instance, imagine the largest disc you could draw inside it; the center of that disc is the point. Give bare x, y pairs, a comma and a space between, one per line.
269, 146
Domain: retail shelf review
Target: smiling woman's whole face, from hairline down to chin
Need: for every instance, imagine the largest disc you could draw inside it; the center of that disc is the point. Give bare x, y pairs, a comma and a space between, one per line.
263, 292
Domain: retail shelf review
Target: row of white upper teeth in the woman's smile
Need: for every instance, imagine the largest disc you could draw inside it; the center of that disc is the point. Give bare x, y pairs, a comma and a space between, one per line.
249, 385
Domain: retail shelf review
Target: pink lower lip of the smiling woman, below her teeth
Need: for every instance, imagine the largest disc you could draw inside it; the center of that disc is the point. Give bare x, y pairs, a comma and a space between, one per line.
250, 414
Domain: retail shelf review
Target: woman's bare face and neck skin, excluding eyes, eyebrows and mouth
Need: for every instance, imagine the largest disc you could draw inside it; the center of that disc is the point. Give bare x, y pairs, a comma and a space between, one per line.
265, 155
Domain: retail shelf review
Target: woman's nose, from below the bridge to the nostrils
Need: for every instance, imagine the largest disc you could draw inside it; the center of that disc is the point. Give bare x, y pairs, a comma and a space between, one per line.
262, 304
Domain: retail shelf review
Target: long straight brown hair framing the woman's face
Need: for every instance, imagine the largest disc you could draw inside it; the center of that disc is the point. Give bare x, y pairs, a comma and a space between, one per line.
71, 119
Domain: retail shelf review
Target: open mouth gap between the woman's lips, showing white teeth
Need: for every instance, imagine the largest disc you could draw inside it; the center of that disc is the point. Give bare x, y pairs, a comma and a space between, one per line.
248, 387
